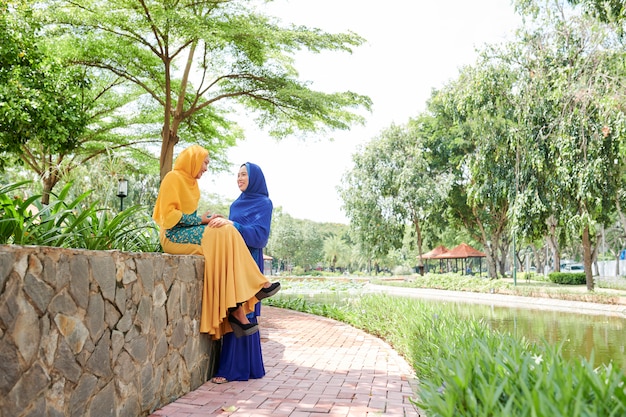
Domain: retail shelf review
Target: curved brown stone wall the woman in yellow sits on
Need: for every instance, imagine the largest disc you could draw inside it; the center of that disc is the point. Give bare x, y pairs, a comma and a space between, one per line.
98, 333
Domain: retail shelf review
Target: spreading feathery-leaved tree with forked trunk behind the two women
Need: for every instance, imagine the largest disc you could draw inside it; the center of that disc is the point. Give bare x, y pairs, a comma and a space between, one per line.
197, 59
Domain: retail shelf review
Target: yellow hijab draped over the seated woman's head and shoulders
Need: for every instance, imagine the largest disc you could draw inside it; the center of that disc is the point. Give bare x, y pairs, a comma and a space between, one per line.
179, 192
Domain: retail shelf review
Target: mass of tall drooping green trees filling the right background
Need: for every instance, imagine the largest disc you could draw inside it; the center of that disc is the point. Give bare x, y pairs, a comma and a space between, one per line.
532, 135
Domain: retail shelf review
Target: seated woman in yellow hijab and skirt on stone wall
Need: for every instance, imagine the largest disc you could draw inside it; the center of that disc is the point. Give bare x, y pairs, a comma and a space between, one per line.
233, 283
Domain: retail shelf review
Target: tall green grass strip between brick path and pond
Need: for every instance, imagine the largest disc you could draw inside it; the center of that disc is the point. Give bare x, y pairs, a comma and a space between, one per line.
467, 369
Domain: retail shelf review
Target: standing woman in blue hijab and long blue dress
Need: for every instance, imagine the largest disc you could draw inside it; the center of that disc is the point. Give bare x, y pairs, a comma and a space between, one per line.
251, 213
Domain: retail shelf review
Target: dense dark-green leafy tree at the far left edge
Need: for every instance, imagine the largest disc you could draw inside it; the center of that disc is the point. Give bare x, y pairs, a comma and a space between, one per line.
41, 100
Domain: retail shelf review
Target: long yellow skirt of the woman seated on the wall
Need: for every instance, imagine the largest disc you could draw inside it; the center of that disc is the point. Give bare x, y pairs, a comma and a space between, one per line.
231, 276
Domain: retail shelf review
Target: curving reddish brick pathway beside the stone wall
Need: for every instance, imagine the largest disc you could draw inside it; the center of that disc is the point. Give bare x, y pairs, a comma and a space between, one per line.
315, 367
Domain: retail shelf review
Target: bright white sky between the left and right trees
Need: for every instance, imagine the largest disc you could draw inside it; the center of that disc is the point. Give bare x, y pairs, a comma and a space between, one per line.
412, 47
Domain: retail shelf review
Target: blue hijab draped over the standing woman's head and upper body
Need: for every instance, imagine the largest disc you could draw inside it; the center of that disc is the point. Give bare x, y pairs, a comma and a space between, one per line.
252, 212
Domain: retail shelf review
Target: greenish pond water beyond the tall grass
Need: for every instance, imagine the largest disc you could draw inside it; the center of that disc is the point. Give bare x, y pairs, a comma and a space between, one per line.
580, 334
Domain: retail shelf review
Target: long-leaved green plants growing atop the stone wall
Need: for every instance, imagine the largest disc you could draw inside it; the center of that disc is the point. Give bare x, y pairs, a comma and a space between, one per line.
70, 223
